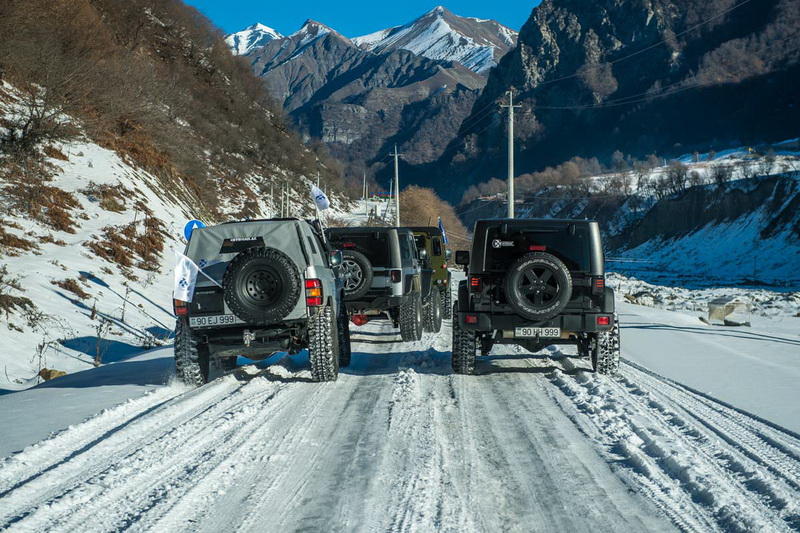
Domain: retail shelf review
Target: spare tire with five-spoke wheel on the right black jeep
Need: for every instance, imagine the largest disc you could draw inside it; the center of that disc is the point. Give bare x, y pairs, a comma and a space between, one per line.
538, 286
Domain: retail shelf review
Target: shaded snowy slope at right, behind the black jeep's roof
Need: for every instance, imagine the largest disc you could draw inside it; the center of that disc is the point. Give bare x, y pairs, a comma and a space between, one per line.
734, 221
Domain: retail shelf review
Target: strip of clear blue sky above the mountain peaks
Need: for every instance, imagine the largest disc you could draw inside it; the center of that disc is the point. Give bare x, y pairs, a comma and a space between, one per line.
351, 18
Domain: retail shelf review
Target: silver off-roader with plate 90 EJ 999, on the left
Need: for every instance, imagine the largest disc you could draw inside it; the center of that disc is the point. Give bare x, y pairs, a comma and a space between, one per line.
276, 288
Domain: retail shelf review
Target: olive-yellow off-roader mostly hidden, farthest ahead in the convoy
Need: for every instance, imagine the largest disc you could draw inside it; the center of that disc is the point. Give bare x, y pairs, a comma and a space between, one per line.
435, 257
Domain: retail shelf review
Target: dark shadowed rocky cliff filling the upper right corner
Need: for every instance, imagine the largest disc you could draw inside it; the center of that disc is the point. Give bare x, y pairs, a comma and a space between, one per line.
639, 76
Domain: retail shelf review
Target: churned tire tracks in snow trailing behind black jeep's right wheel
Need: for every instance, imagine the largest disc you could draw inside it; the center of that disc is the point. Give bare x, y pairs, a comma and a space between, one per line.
673, 456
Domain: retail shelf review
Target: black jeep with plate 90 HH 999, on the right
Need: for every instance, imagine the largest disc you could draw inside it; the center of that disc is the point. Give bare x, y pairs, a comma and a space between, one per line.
535, 283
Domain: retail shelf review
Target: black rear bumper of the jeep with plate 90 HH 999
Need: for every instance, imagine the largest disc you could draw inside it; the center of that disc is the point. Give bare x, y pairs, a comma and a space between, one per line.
576, 323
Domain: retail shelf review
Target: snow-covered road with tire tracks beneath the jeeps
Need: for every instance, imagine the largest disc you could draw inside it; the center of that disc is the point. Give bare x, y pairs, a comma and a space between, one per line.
401, 444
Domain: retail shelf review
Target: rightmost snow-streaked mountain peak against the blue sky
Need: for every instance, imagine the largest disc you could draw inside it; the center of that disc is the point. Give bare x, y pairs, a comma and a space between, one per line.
478, 44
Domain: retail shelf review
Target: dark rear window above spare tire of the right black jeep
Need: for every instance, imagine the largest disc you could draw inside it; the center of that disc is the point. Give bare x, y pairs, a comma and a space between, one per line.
573, 250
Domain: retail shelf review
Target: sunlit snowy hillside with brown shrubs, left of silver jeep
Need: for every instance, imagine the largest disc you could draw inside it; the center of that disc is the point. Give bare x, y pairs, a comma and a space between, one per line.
98, 279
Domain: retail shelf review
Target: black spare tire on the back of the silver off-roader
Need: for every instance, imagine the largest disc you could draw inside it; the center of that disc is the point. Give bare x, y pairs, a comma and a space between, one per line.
262, 285
